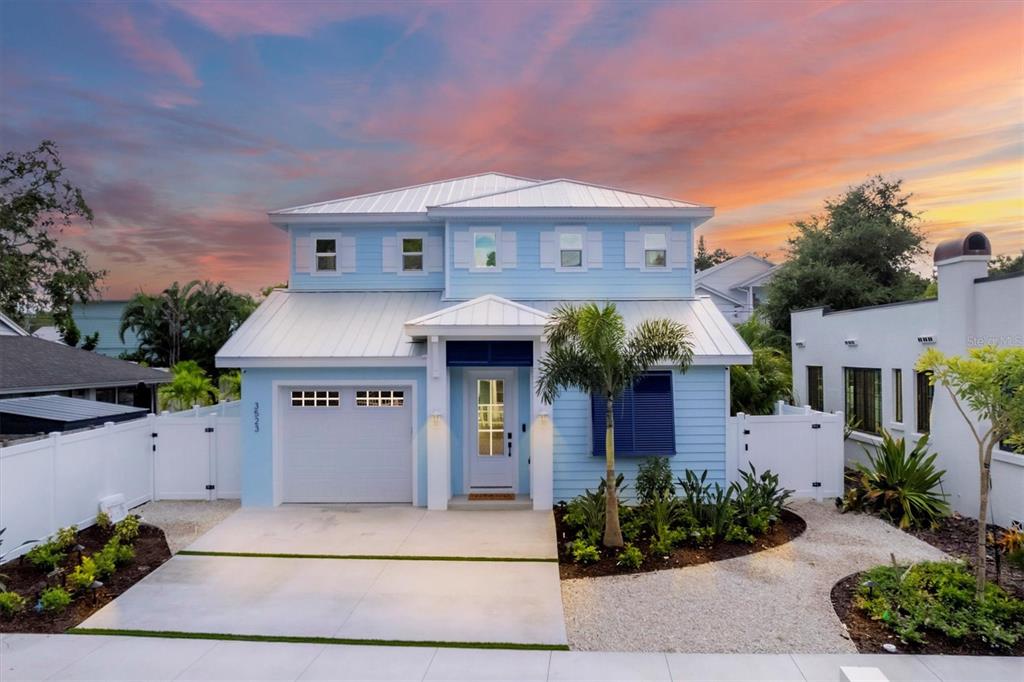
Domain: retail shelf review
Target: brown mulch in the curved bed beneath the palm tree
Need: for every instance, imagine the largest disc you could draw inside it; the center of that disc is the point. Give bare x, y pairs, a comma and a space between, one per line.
791, 527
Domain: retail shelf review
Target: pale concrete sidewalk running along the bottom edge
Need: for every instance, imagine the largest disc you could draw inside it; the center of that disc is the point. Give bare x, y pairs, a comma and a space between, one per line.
94, 658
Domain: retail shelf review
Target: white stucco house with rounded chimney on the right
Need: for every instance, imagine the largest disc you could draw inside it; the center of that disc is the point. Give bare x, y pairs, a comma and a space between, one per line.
863, 362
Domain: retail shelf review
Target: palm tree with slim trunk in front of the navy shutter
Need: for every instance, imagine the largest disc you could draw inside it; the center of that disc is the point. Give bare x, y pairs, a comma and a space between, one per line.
590, 350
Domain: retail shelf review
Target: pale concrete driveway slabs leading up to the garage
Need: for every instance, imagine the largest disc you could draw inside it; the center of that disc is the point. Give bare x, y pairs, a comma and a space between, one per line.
440, 577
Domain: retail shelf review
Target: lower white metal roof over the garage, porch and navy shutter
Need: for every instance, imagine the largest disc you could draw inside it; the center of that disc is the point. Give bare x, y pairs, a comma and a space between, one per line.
314, 329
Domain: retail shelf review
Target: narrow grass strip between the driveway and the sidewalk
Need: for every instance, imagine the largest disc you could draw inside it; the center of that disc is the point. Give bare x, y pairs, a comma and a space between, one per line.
290, 640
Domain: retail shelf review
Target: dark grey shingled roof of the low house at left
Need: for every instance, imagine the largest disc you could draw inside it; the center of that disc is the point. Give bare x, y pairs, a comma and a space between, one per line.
34, 367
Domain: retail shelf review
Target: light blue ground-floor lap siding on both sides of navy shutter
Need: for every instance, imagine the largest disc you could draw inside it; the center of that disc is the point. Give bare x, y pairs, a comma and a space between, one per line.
699, 398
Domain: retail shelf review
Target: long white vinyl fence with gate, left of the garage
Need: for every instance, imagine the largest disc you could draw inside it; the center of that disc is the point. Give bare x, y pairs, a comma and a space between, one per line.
59, 481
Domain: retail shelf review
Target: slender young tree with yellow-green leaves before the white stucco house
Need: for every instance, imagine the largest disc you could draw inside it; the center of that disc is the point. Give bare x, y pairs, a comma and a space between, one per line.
990, 382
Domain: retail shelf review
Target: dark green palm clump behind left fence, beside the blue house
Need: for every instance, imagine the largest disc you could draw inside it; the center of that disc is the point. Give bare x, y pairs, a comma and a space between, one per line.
190, 322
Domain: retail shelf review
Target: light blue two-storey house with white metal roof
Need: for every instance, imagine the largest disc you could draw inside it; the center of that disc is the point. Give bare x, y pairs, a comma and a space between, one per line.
402, 363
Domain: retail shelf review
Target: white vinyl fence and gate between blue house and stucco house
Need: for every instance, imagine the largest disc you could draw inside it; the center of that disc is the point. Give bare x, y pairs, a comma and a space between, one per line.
803, 447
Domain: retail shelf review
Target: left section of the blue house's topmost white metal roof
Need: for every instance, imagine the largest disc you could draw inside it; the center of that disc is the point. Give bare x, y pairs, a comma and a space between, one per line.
414, 199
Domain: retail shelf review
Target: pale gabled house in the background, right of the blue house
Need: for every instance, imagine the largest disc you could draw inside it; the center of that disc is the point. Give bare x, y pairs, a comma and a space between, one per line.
737, 286
